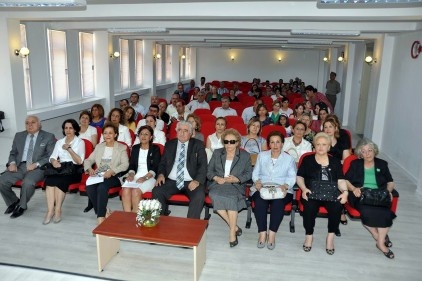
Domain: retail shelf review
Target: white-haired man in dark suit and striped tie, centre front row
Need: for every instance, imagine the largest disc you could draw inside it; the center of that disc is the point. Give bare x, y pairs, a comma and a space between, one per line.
182, 169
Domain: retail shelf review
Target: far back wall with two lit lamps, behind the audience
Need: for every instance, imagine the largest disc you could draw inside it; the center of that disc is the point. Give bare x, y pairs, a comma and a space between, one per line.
215, 64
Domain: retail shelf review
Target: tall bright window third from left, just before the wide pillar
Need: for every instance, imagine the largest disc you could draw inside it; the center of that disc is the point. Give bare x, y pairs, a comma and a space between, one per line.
86, 49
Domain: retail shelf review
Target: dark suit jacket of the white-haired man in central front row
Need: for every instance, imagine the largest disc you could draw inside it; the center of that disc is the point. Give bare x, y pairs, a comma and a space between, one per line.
196, 162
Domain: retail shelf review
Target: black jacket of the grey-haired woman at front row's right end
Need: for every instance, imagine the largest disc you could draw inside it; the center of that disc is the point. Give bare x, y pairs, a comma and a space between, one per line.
356, 173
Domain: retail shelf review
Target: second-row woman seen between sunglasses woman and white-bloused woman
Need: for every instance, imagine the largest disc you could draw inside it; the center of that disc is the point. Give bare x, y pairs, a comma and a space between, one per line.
253, 142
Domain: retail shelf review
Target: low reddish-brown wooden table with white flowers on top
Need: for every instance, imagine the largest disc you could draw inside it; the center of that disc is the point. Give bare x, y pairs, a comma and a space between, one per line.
170, 231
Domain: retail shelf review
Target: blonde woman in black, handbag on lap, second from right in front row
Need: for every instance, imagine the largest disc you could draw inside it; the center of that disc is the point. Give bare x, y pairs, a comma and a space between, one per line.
316, 171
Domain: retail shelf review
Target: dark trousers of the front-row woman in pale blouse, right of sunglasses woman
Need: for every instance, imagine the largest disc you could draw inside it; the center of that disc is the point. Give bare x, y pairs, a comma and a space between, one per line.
276, 211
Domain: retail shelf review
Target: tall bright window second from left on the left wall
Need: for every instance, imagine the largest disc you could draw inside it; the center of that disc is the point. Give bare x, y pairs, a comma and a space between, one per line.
58, 66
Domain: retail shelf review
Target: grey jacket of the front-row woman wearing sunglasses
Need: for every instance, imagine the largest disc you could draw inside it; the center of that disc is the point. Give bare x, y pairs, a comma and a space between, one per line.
241, 167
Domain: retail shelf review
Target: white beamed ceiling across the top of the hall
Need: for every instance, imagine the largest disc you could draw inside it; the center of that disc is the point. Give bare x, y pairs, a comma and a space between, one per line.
234, 24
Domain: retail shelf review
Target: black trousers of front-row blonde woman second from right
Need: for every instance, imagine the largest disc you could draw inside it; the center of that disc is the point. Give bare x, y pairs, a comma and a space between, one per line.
310, 211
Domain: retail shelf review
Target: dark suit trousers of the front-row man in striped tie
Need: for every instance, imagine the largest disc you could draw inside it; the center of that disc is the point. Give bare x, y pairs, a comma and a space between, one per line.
196, 197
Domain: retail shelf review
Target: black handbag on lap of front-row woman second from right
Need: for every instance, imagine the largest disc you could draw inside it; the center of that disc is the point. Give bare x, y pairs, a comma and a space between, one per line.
324, 190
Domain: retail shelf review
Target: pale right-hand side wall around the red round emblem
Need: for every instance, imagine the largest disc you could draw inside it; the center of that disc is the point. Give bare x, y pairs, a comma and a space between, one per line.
402, 137
